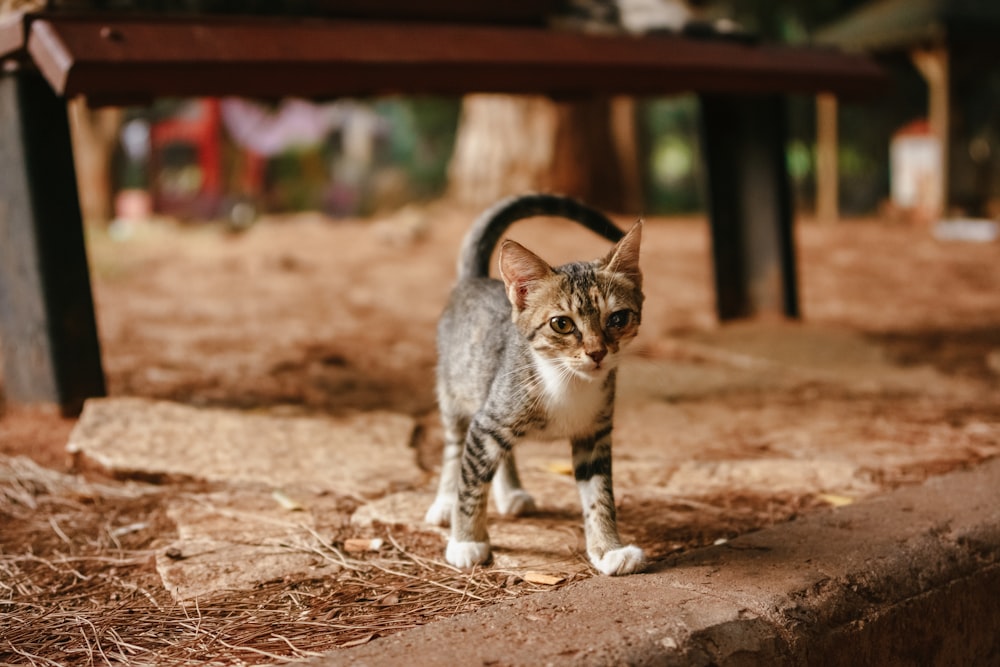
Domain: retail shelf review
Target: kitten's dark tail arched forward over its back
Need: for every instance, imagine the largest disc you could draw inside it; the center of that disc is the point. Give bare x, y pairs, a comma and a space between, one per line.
477, 248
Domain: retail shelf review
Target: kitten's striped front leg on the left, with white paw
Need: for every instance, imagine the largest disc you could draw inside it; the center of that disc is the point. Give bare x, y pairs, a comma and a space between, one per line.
470, 543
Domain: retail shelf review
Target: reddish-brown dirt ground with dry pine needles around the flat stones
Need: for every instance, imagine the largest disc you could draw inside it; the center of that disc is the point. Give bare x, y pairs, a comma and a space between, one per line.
305, 315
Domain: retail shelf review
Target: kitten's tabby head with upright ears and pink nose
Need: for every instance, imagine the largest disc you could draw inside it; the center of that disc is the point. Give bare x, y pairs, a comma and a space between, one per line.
576, 317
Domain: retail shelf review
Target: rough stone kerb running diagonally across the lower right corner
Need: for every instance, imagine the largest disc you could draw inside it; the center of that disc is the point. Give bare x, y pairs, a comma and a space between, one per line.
910, 577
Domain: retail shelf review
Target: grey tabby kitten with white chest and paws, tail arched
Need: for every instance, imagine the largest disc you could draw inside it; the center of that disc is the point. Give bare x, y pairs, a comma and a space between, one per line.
533, 354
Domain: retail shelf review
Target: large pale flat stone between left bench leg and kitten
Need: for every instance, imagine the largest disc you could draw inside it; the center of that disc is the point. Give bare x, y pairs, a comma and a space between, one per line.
365, 454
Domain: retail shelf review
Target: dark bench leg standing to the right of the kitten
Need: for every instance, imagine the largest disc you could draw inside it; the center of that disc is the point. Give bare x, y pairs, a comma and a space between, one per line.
750, 203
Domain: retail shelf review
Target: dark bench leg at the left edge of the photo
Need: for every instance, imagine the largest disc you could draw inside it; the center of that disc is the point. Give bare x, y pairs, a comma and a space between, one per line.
48, 333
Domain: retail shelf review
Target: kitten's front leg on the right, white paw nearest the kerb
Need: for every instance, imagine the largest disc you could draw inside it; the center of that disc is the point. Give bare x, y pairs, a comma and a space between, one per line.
592, 469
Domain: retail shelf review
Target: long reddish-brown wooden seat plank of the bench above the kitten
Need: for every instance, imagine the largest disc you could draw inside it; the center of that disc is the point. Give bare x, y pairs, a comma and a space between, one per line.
144, 59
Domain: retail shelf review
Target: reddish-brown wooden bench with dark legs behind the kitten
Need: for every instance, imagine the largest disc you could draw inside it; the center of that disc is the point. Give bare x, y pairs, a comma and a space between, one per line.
47, 324
